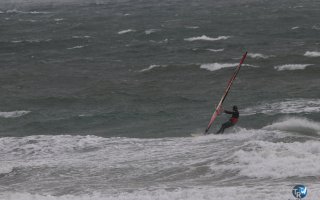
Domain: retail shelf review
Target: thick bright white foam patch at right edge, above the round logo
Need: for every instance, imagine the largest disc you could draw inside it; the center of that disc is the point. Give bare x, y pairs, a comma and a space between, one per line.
262, 159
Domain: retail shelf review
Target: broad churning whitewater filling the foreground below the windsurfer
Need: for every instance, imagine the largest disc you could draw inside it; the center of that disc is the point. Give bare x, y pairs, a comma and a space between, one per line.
155, 168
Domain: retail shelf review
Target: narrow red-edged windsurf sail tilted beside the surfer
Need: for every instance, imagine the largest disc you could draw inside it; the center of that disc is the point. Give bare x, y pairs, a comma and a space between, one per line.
218, 108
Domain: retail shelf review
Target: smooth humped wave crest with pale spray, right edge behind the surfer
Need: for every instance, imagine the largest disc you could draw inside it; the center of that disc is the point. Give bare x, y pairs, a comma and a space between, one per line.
296, 124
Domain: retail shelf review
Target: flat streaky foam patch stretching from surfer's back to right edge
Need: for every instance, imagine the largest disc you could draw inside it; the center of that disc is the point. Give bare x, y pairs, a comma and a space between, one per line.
285, 107
